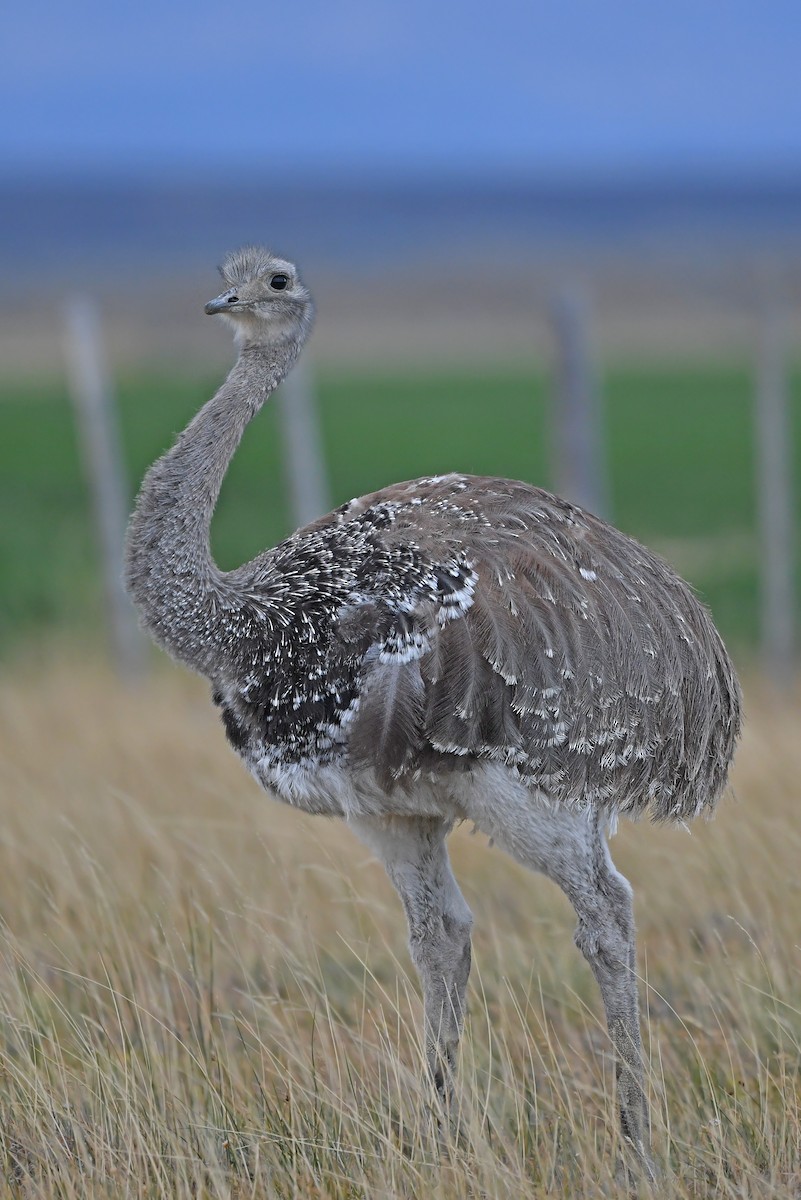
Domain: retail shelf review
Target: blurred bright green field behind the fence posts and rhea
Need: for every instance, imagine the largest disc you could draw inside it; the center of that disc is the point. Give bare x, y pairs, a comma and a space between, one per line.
680, 464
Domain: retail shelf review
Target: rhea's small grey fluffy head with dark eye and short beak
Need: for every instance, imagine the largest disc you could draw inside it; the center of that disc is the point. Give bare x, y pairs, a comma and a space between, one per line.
264, 299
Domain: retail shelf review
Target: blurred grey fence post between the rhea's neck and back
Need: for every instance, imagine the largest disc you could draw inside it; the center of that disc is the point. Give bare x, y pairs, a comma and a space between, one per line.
304, 459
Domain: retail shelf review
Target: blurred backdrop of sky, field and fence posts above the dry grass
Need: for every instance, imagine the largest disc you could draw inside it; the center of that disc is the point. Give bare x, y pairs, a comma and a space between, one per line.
557, 242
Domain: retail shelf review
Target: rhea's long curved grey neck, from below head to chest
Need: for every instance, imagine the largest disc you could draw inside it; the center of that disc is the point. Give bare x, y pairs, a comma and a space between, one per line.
180, 592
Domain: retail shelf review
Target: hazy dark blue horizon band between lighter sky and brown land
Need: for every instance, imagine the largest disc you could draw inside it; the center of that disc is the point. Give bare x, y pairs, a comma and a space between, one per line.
85, 229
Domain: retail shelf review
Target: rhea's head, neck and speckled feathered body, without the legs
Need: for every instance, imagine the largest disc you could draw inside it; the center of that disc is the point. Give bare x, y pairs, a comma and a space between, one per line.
431, 627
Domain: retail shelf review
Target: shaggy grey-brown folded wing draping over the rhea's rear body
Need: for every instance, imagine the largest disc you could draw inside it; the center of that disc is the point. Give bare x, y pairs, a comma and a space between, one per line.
509, 626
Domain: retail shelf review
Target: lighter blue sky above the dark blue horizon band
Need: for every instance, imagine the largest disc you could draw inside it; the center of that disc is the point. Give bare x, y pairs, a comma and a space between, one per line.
305, 86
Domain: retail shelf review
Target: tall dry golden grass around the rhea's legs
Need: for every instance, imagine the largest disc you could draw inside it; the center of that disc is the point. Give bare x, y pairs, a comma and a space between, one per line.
207, 995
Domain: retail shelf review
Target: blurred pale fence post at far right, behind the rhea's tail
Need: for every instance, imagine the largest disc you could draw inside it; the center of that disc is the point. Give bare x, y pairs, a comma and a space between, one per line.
775, 503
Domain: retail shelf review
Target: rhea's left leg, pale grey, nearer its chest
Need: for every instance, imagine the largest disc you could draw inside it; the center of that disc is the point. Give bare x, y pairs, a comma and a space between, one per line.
415, 857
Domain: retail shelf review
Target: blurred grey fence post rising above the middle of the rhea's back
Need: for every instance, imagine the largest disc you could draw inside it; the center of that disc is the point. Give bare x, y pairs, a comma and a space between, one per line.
577, 435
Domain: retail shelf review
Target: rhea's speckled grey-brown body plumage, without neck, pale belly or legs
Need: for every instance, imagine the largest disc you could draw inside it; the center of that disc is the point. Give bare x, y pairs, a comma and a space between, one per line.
444, 622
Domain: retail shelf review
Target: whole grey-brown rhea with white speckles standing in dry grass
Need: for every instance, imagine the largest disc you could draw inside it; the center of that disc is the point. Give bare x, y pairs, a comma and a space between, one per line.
445, 650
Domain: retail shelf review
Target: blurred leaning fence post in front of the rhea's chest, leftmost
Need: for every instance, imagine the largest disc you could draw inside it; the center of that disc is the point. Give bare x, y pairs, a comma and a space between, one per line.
100, 443
